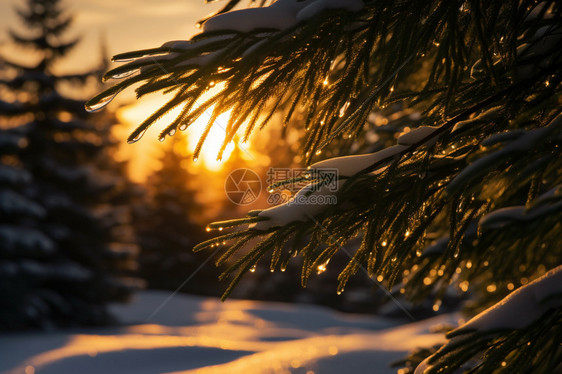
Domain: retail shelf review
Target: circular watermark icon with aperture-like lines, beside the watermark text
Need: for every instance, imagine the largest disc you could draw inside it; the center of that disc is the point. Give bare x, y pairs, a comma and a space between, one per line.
242, 186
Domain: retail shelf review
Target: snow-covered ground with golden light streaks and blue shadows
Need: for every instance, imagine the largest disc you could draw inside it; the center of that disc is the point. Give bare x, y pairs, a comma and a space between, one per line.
202, 335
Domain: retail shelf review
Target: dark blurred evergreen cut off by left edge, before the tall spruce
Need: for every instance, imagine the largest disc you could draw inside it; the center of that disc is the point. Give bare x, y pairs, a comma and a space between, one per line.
22, 242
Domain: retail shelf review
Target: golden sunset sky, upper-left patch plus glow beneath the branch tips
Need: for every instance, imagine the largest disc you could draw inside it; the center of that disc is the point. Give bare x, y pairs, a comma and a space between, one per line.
125, 25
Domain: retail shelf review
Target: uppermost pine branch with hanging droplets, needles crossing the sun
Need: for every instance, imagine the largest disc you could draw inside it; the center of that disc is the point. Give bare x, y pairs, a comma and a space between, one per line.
195, 65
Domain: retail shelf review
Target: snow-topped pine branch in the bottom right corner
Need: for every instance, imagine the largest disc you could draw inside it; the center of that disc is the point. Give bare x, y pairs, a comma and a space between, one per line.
509, 318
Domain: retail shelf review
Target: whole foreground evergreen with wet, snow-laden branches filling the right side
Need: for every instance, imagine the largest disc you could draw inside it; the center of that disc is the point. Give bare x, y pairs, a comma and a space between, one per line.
468, 199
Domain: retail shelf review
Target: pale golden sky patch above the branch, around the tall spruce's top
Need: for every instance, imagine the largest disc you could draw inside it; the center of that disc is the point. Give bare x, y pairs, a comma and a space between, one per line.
126, 24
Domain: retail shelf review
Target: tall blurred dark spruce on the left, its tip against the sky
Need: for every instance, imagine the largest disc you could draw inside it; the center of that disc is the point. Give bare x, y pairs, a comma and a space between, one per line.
62, 255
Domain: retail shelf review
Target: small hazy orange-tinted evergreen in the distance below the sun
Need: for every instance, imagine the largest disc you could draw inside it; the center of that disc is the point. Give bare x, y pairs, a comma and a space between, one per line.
167, 231
